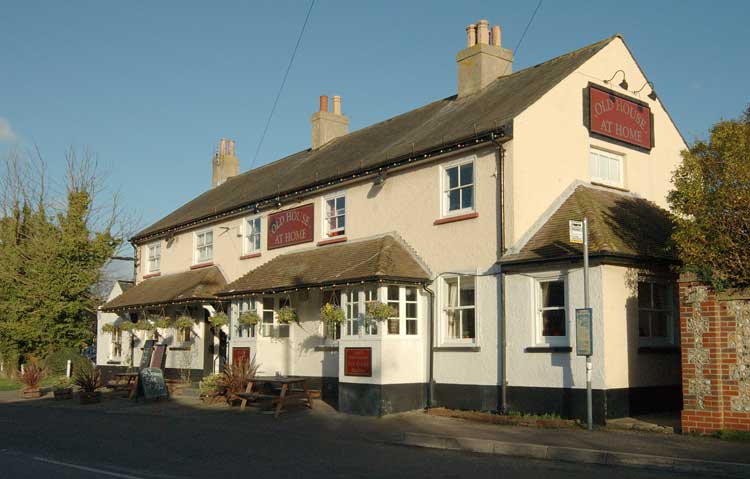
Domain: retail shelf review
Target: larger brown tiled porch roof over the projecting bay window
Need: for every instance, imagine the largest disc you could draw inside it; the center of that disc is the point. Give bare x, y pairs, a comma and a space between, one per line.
384, 258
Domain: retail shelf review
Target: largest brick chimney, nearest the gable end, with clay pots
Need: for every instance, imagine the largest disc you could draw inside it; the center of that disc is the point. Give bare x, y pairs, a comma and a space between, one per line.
483, 60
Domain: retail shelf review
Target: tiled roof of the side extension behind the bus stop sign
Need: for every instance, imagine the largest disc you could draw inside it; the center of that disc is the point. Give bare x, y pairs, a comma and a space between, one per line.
620, 224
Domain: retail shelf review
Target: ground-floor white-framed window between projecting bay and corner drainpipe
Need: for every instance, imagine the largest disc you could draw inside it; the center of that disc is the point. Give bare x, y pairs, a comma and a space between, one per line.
459, 308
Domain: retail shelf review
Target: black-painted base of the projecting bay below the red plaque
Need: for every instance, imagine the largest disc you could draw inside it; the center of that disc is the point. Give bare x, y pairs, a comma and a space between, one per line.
380, 399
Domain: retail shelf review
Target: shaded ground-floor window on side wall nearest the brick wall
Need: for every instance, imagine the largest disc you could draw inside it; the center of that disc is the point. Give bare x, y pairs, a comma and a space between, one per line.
655, 311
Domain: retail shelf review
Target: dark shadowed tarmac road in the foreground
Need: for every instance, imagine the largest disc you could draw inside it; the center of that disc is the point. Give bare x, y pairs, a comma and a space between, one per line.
38, 441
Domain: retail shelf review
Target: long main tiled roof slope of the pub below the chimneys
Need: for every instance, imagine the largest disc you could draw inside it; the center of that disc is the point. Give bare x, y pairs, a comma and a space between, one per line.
442, 122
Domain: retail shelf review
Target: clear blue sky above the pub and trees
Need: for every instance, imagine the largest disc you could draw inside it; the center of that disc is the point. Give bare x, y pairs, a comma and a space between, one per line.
151, 86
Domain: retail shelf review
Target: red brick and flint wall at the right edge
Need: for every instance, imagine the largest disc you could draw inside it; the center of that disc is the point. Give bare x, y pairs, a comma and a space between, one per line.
715, 332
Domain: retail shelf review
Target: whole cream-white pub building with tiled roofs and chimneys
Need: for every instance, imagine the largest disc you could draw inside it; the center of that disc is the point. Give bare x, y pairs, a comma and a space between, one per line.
454, 214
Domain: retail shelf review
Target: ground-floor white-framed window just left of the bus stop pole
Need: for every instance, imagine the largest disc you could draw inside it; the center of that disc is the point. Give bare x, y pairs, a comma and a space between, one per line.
551, 314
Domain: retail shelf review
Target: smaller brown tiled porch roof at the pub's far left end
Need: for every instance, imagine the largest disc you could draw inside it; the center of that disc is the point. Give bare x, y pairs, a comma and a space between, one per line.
179, 288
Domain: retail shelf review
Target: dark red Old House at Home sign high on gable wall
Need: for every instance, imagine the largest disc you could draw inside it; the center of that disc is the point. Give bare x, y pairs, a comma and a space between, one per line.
623, 119
